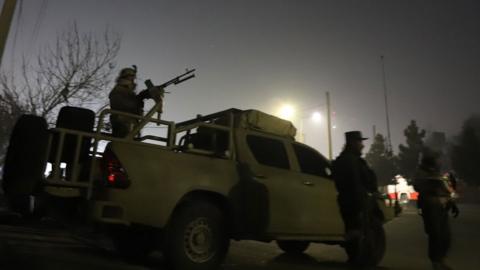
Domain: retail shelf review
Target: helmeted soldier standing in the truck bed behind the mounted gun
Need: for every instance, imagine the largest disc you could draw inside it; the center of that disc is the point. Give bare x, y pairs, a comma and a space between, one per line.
123, 98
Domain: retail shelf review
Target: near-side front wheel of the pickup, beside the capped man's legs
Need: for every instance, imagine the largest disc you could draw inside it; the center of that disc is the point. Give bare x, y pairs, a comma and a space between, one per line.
368, 249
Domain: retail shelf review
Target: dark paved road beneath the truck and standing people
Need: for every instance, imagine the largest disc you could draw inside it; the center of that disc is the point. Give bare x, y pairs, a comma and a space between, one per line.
44, 247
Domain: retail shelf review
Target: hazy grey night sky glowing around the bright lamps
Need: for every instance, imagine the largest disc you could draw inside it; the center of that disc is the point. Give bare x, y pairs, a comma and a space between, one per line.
260, 54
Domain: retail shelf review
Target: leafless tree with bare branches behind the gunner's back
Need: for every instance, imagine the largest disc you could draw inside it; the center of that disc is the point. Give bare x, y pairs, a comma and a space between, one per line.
76, 69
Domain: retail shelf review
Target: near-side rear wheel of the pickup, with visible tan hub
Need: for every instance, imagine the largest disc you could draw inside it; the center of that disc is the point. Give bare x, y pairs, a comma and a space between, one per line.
197, 237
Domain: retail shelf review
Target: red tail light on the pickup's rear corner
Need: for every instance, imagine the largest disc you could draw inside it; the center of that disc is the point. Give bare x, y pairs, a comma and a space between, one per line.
114, 174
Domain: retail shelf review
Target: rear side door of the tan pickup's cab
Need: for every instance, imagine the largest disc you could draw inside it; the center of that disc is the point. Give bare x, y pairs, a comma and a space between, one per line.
269, 166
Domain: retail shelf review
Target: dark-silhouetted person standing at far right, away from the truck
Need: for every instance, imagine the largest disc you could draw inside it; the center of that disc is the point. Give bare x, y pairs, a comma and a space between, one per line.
435, 201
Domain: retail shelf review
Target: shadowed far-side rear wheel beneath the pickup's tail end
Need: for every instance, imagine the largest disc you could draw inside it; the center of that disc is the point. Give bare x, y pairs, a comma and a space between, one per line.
131, 243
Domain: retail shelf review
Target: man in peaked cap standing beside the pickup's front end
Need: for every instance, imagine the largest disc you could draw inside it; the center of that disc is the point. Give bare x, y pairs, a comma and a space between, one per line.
355, 183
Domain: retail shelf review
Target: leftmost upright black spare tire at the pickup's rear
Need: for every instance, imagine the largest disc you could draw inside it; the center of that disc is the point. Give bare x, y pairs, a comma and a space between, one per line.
25, 162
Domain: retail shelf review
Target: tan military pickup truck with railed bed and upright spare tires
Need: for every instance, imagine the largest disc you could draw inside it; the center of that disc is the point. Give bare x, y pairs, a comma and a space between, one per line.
189, 188
